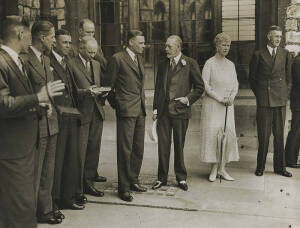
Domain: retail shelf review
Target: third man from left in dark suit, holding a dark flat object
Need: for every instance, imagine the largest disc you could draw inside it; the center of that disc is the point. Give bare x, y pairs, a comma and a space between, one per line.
66, 170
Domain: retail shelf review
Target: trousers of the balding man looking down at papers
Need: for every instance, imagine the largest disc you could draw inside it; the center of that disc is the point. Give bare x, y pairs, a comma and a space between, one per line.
89, 150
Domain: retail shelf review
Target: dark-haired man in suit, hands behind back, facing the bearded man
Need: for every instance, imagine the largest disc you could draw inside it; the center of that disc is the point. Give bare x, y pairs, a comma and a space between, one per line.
125, 74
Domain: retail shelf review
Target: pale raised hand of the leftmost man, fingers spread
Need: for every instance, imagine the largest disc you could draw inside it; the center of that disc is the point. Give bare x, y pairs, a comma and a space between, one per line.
54, 89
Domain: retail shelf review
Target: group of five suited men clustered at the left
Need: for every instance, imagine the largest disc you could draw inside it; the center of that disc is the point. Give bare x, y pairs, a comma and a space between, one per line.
51, 119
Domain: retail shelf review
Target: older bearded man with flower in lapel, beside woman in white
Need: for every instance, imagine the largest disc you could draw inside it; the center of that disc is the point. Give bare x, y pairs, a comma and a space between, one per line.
173, 97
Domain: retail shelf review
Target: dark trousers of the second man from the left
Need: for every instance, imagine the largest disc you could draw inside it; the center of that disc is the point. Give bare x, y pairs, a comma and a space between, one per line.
44, 168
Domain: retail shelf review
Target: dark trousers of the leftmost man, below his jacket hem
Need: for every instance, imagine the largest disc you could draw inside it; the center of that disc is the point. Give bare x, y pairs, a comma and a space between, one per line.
17, 196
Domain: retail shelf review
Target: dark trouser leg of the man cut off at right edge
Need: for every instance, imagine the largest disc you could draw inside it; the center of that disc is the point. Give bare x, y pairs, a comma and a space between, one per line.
293, 140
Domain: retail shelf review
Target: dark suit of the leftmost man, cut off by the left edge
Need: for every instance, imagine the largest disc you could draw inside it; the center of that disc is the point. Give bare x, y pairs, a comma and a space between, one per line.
18, 140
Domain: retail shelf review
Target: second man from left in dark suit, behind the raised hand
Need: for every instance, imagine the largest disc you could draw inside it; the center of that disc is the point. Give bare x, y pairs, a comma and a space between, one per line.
40, 74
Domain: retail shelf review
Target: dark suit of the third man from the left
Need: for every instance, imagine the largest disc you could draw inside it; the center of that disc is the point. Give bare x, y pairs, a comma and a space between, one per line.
66, 170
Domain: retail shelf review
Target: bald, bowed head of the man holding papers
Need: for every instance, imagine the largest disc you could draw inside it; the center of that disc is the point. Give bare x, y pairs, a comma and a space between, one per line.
88, 47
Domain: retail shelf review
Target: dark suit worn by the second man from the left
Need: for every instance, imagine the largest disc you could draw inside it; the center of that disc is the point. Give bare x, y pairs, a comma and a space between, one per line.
40, 74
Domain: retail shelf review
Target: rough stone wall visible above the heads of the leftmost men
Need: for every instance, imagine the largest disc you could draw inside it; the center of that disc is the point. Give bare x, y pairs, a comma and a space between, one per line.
31, 10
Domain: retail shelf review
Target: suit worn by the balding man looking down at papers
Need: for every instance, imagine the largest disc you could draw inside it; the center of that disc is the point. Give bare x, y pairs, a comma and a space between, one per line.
91, 121
